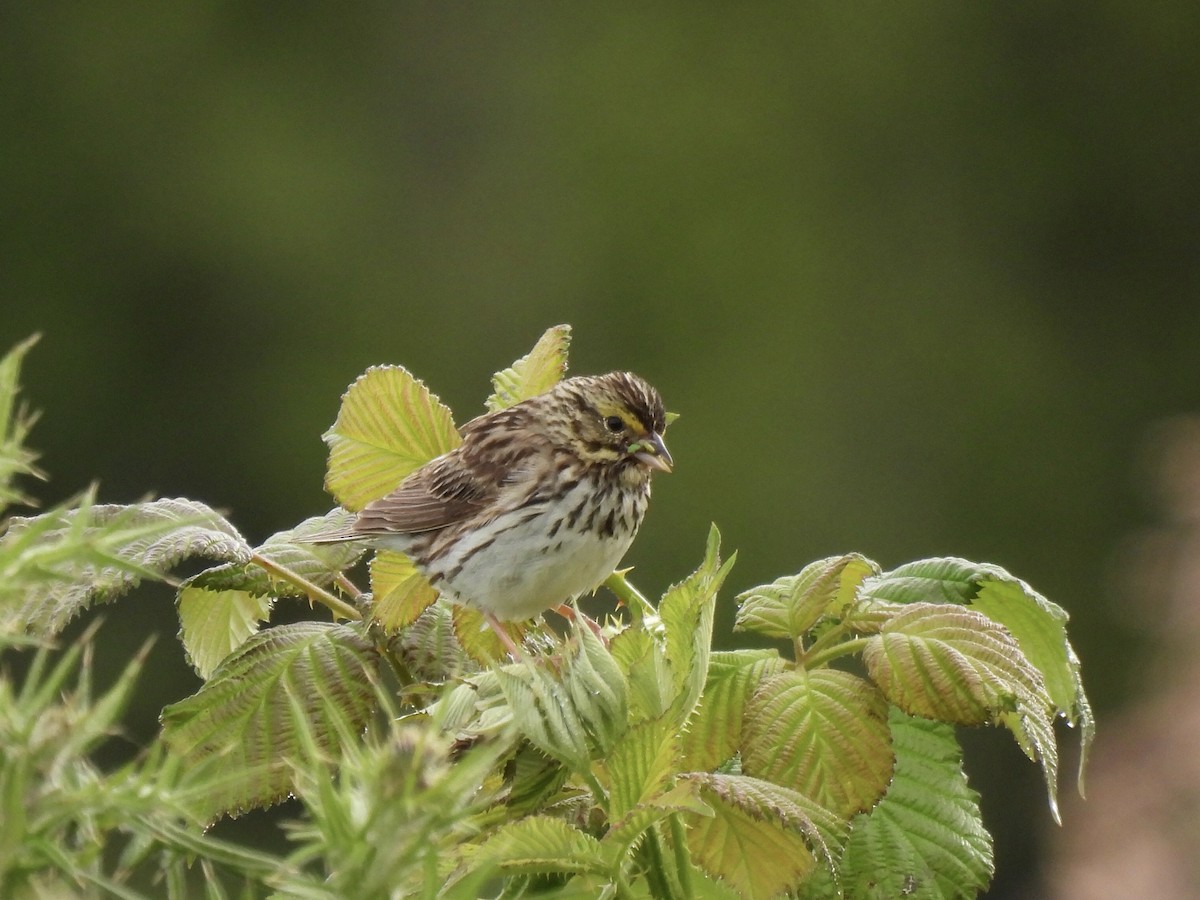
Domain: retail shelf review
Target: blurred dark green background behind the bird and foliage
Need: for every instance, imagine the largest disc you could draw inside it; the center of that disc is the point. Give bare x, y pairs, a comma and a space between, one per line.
919, 278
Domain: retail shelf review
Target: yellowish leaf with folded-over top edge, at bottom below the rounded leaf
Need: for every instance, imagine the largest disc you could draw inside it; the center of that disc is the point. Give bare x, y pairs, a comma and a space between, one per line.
759, 839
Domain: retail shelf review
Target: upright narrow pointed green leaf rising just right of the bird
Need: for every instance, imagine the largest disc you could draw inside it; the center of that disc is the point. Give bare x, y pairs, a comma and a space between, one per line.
687, 613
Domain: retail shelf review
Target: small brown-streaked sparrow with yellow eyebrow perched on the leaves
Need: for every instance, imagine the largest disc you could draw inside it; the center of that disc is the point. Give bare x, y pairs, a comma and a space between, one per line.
536, 507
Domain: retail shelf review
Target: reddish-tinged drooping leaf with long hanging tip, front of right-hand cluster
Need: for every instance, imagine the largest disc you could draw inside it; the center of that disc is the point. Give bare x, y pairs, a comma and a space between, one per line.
959, 667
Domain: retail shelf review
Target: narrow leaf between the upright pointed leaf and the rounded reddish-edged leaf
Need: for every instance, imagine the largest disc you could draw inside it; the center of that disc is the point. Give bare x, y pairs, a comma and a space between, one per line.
715, 733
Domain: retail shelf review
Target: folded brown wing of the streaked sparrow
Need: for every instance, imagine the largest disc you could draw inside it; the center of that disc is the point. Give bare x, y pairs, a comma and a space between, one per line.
439, 495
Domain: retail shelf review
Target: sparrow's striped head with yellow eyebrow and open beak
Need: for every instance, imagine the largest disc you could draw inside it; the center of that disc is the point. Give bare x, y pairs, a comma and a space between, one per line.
616, 419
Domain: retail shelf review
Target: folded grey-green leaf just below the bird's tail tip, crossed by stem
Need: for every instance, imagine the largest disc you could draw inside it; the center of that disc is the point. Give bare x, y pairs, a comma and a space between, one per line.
316, 563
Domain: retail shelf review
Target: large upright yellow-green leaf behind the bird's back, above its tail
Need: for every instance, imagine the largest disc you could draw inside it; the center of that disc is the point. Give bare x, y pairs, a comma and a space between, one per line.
389, 425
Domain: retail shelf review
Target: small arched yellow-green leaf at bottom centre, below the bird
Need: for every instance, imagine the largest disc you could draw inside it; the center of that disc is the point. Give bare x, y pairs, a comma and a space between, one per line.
541, 844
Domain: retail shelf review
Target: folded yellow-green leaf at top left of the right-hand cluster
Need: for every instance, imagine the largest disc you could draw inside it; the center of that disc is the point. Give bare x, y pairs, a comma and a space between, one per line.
790, 607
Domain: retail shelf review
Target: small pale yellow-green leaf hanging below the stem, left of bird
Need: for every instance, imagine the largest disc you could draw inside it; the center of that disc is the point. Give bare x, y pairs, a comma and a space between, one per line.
215, 623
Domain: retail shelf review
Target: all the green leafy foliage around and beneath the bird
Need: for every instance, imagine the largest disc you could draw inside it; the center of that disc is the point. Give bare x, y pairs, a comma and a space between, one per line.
428, 764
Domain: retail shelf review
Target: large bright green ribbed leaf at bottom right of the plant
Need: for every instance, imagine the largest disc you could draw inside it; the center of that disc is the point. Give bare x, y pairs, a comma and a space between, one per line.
926, 839
